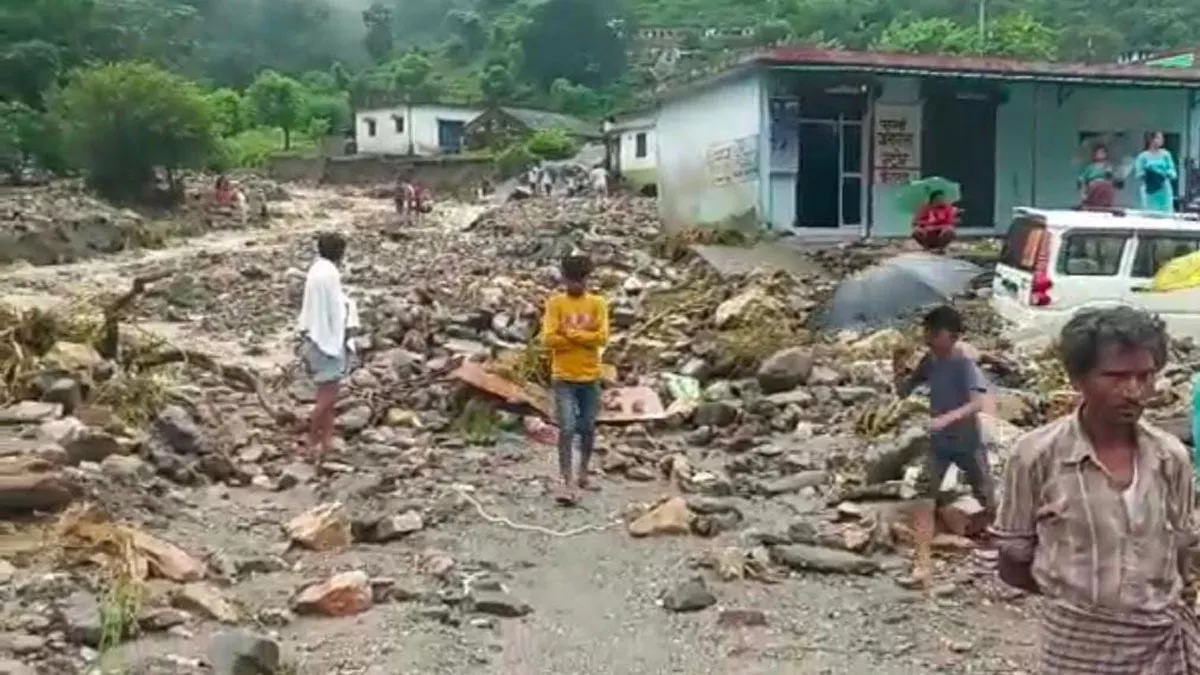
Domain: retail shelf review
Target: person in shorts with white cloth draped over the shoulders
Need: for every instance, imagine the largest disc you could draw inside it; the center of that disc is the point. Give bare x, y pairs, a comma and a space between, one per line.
325, 324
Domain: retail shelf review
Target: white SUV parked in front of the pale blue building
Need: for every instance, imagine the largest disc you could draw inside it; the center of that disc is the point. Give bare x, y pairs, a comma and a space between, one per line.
1058, 262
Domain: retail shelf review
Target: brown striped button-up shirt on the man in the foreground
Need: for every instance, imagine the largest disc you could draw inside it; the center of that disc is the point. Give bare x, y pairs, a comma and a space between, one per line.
1060, 512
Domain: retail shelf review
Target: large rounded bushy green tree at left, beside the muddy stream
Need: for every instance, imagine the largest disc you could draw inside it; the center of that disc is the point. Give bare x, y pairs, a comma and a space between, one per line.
124, 122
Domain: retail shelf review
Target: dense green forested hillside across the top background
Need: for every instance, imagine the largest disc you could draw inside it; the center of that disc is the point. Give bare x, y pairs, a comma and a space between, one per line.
122, 89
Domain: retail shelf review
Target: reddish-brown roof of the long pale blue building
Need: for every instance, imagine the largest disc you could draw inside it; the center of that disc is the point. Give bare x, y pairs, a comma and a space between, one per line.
983, 68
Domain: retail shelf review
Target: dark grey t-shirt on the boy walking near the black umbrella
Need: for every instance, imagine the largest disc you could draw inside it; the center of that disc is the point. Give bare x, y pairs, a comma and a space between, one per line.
952, 381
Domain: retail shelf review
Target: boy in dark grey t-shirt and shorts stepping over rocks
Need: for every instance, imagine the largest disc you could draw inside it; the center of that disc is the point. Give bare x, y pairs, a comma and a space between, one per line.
958, 393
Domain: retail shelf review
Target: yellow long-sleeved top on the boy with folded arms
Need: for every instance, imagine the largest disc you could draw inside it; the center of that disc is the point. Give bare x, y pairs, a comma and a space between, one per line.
575, 330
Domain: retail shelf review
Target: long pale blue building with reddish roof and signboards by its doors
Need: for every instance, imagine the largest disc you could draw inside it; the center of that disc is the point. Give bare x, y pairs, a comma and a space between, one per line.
819, 142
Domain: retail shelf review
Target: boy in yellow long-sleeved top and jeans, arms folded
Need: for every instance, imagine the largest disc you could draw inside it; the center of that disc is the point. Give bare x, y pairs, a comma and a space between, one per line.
575, 328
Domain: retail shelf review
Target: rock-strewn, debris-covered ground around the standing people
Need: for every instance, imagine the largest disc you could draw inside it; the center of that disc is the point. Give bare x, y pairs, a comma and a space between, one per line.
755, 523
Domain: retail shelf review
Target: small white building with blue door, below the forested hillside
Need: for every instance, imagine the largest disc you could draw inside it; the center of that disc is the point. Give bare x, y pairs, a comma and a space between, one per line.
412, 129
